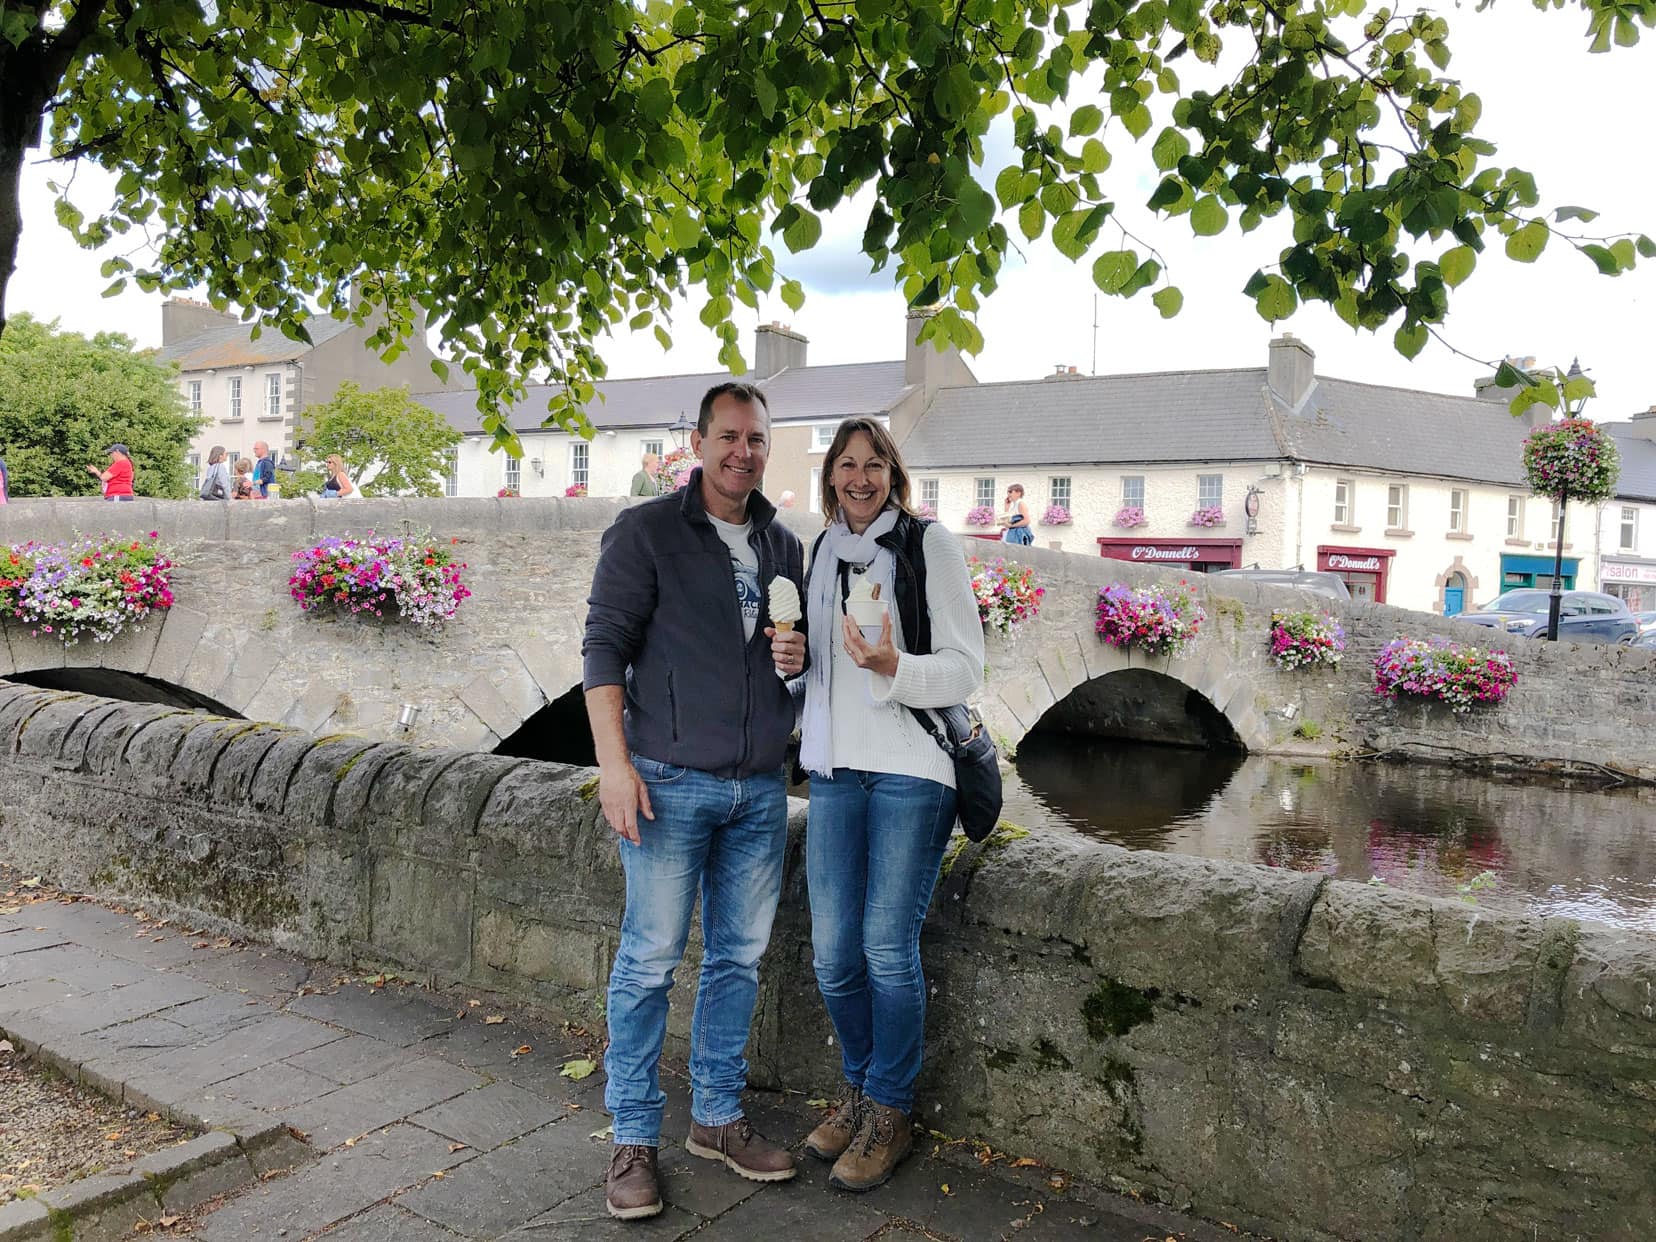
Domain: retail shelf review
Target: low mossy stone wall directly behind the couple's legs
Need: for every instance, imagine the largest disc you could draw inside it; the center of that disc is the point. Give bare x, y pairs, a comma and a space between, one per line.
1309, 1059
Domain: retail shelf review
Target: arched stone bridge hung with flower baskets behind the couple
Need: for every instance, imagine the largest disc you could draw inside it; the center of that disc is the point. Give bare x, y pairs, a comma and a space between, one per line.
508, 673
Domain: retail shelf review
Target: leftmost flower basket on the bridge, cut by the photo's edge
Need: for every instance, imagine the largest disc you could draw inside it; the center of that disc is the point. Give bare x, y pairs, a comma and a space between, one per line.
94, 589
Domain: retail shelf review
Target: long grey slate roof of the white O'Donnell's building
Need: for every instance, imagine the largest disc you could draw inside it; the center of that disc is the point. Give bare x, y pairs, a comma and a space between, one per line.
1216, 416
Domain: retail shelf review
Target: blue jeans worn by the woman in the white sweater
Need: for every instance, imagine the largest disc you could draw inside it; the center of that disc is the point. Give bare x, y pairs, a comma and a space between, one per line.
872, 857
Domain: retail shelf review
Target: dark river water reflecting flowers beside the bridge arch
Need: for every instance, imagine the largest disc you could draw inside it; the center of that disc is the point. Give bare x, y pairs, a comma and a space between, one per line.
1500, 844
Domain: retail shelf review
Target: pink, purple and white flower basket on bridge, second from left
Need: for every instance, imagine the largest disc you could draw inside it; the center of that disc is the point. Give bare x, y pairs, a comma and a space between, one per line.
412, 579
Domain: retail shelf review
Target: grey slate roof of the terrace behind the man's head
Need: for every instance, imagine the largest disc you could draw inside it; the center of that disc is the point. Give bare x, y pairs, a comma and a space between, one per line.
796, 395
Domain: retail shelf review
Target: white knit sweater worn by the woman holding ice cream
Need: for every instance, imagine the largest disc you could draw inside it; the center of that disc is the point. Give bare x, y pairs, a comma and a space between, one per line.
874, 731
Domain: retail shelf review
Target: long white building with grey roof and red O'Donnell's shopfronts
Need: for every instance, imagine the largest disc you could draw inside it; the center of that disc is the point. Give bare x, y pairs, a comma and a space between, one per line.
1415, 499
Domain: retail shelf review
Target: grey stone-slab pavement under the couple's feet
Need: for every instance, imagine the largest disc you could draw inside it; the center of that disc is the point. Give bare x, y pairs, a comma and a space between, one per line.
431, 1117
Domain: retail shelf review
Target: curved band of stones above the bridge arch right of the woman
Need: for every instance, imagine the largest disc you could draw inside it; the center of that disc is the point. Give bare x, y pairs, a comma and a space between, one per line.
1029, 681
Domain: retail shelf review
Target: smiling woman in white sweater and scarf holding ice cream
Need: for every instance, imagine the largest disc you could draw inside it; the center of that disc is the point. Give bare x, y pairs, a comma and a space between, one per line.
882, 804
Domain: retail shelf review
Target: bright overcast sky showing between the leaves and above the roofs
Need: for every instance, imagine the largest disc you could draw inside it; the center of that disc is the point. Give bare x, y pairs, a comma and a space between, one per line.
1577, 122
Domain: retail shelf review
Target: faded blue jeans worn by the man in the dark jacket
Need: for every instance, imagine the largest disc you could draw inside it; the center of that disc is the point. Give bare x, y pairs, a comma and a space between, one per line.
726, 840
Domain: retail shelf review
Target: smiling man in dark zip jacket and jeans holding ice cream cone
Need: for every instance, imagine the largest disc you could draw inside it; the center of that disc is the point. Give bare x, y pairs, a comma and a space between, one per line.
691, 721
